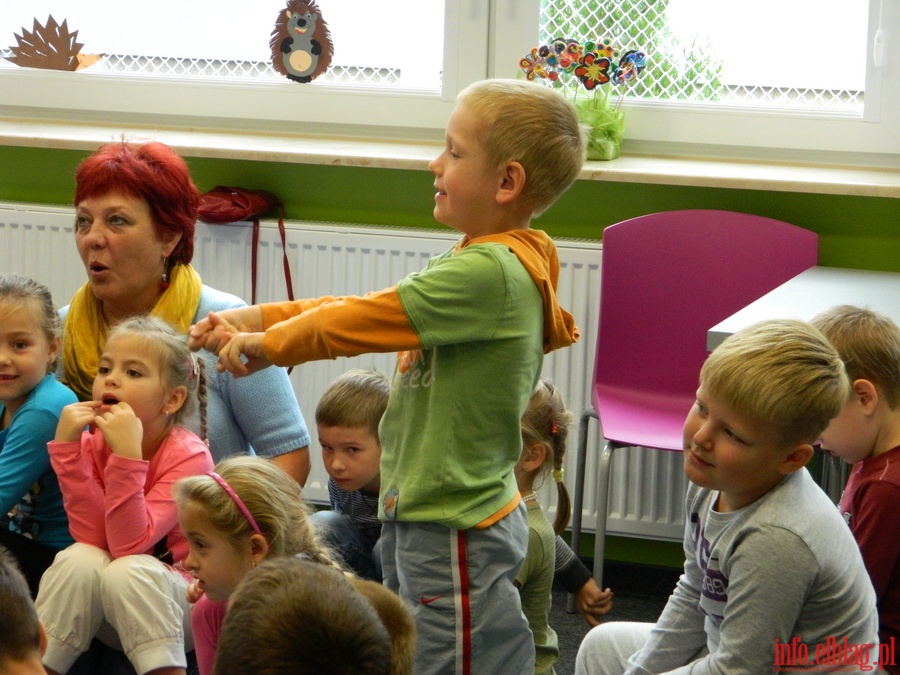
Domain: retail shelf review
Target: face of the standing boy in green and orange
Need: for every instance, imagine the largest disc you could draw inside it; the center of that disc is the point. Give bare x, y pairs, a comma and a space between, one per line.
466, 184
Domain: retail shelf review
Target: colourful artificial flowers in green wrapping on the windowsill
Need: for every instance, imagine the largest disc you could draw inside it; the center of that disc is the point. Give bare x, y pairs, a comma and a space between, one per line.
595, 66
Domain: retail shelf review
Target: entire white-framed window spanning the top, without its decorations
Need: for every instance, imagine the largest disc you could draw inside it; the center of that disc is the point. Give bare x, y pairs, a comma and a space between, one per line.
822, 76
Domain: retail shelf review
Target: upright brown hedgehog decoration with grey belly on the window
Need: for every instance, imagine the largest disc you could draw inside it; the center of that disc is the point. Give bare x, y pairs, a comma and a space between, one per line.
301, 43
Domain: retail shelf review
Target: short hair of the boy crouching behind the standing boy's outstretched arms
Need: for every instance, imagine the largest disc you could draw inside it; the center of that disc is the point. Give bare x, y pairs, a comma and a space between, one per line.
356, 399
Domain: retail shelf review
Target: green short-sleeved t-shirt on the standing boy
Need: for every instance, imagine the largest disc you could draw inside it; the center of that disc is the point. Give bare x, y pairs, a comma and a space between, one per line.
450, 435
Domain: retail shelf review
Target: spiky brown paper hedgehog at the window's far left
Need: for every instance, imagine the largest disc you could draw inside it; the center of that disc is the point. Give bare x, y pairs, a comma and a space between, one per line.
50, 46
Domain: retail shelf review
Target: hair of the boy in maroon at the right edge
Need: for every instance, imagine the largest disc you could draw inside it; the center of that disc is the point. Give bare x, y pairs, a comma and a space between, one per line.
869, 344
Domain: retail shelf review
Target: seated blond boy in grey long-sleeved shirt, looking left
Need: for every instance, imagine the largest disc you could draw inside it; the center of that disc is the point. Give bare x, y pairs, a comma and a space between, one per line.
773, 580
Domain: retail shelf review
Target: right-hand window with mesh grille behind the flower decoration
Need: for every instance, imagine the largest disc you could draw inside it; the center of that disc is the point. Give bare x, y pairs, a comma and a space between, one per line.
796, 75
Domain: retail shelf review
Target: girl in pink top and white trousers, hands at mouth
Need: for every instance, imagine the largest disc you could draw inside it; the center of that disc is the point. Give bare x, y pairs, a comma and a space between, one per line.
117, 457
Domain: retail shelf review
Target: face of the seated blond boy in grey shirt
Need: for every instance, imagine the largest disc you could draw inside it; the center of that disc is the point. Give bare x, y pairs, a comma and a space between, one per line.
738, 456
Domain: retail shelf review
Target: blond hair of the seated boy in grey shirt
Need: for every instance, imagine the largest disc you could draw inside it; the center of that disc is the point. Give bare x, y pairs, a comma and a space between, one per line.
783, 373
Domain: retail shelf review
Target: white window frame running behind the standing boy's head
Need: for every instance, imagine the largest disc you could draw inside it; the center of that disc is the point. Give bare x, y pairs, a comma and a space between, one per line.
483, 38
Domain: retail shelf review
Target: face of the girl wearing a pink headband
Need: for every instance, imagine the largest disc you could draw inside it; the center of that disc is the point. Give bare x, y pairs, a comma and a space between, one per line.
216, 561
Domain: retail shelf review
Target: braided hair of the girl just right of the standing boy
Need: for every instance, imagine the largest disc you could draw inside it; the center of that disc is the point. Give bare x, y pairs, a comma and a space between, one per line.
546, 421
